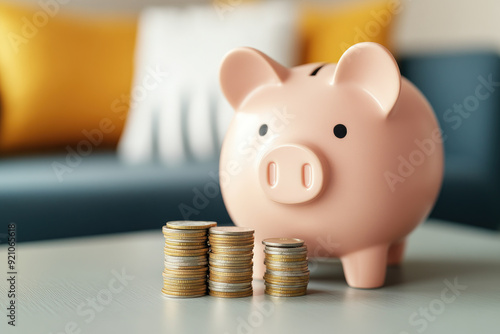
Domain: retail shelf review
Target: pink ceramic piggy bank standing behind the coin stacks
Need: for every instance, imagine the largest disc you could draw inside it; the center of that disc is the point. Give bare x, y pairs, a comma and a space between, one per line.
346, 156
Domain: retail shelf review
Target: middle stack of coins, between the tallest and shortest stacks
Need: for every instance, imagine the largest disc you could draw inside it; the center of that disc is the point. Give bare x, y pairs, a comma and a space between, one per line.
230, 261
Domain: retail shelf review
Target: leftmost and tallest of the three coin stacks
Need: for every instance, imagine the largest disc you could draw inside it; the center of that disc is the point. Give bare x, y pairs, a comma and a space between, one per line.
186, 263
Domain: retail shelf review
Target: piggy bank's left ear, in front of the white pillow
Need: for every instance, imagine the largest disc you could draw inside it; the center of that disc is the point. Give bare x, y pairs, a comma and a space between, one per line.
245, 69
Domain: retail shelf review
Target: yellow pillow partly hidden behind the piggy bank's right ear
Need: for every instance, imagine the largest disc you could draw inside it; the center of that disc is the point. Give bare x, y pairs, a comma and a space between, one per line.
327, 31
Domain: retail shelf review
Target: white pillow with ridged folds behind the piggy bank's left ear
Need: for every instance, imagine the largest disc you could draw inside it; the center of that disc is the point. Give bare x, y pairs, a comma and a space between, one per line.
182, 115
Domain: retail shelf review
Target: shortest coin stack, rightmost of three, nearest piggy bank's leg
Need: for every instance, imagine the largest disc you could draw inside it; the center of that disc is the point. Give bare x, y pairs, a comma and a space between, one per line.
287, 273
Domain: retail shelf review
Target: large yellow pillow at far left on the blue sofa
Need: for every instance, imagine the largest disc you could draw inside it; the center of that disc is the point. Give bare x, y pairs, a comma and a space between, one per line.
63, 78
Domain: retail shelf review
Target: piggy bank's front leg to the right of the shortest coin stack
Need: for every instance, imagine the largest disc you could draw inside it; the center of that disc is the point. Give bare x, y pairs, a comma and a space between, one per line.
366, 268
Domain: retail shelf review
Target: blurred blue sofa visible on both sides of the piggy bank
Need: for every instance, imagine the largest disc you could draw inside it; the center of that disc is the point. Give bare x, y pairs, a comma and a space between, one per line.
102, 195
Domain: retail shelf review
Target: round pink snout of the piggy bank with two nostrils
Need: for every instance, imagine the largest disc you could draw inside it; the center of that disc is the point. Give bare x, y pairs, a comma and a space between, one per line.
291, 174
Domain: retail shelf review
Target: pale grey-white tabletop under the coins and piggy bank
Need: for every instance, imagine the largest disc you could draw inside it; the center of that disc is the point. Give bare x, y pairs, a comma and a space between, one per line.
57, 277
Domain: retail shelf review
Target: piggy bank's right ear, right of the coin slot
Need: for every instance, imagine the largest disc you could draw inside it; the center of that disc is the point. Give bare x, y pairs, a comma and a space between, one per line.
373, 68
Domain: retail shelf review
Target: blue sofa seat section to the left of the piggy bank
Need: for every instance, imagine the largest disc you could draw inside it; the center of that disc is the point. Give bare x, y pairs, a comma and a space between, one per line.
102, 195
